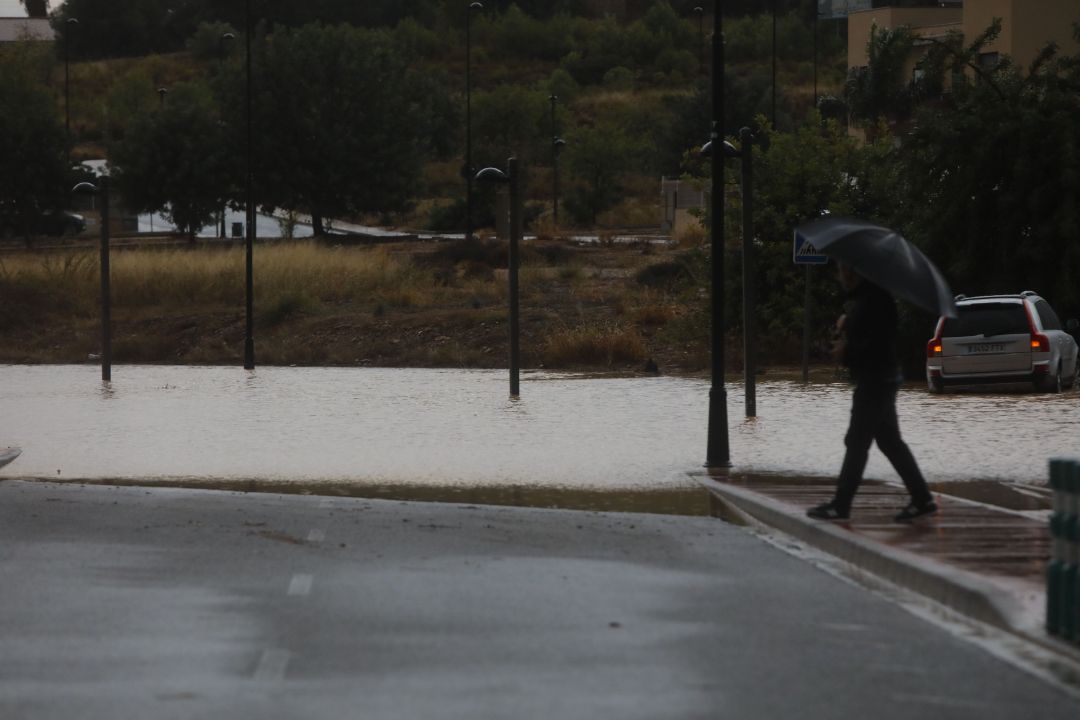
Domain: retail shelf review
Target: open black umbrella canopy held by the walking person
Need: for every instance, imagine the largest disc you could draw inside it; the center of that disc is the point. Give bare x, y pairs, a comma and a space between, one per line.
885, 259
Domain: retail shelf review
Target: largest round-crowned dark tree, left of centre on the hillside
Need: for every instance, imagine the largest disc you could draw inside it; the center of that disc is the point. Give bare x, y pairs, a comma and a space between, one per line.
342, 124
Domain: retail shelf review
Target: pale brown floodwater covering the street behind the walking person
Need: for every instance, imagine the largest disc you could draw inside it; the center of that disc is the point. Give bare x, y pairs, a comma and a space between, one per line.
458, 429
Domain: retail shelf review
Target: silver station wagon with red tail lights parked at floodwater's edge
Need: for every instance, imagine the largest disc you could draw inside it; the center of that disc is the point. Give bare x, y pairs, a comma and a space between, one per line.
1004, 339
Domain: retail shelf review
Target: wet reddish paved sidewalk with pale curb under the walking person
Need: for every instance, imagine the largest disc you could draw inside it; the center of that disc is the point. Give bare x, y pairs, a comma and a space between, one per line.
984, 562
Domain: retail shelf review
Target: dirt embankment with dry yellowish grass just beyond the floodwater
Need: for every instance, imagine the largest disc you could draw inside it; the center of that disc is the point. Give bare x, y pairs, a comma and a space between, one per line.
605, 307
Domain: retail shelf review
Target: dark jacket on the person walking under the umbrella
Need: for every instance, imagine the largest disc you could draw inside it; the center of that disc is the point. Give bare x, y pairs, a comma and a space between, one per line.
870, 330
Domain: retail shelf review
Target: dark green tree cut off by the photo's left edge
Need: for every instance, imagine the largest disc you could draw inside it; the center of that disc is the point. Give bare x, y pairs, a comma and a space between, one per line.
33, 173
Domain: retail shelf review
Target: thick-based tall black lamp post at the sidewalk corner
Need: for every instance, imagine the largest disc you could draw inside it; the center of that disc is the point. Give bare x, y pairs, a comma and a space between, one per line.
719, 453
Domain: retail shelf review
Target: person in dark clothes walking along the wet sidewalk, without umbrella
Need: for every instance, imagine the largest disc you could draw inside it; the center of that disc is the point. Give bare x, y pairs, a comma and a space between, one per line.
868, 348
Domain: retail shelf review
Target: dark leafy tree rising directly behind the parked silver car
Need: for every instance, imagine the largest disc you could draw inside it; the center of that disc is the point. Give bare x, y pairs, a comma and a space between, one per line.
992, 186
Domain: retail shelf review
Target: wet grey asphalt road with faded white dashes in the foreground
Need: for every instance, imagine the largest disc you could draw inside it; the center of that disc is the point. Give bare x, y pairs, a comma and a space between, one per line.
129, 603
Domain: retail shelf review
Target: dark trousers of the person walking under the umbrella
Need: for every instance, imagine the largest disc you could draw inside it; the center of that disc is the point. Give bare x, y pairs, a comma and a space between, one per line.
874, 419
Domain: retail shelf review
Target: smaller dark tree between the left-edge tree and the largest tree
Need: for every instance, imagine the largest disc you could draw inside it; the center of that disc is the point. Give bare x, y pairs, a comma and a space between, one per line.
175, 160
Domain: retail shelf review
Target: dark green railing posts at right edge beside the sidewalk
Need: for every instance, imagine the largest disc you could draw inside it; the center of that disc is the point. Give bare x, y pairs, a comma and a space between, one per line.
1063, 573
